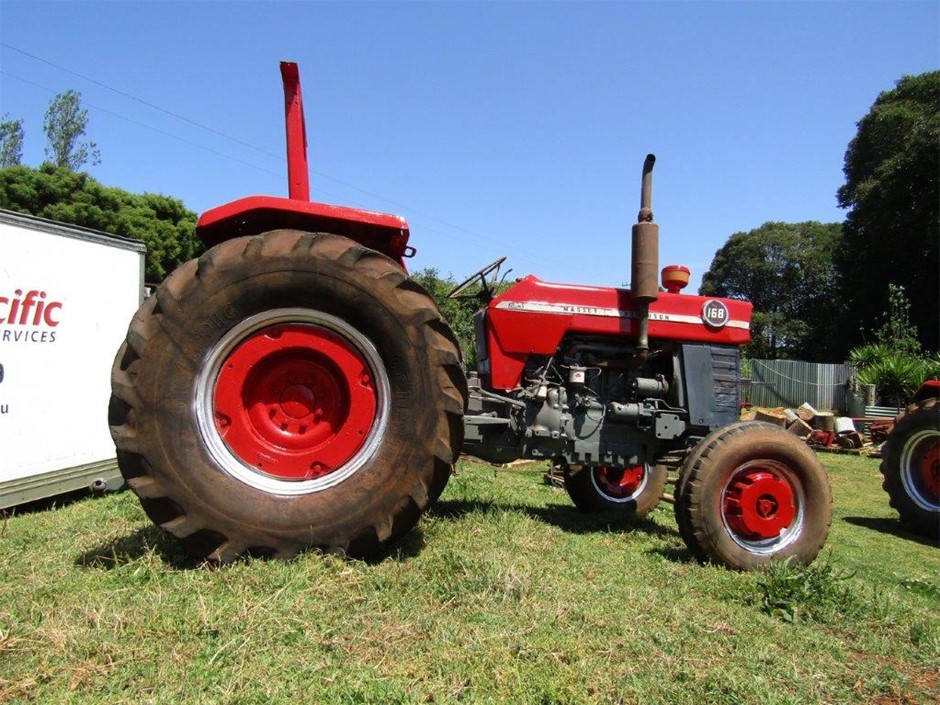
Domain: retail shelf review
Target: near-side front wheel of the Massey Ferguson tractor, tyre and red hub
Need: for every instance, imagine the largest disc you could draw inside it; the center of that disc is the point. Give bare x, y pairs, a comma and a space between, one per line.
752, 493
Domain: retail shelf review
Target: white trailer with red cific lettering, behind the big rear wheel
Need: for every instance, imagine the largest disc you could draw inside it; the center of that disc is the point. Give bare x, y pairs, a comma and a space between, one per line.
66, 295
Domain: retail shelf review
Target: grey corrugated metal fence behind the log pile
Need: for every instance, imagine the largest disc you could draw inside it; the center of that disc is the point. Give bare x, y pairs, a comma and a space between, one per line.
789, 383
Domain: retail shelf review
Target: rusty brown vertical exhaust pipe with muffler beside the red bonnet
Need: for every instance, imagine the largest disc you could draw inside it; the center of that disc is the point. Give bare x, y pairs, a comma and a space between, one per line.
644, 285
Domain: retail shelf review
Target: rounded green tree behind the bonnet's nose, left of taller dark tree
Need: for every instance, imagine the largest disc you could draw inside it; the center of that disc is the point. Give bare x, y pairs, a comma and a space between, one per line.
786, 270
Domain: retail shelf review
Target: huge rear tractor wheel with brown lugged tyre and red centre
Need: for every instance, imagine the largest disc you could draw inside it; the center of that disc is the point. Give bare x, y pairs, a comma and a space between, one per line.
286, 391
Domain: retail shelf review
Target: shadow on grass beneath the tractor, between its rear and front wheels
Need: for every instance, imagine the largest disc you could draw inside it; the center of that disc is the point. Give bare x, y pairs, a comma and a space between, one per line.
562, 516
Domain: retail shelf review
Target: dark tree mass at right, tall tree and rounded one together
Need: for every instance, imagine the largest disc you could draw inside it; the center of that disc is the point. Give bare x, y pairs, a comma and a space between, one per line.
816, 290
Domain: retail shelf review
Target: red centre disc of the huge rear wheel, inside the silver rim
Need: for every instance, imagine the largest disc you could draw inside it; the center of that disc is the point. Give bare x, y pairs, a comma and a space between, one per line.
294, 401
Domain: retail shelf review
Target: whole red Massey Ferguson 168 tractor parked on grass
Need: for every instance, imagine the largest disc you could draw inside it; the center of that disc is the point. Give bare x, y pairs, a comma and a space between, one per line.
293, 388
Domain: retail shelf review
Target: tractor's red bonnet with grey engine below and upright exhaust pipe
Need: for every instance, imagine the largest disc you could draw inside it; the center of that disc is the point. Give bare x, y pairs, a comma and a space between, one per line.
604, 377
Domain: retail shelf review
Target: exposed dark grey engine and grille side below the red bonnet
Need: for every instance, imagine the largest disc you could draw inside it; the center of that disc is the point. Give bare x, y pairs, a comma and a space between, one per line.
590, 404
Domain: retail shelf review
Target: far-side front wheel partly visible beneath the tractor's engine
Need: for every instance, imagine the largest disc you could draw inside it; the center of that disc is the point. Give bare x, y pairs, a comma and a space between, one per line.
634, 491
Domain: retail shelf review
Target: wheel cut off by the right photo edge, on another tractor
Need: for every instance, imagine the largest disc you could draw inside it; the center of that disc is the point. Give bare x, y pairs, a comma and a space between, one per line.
911, 468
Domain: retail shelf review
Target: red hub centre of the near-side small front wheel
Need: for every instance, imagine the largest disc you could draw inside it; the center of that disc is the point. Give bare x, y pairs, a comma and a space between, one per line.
759, 503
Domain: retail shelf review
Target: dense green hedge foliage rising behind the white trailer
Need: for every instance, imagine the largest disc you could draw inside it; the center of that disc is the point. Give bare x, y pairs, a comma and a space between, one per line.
165, 225
